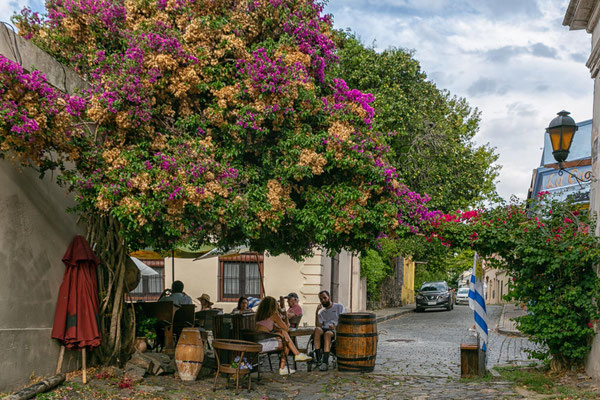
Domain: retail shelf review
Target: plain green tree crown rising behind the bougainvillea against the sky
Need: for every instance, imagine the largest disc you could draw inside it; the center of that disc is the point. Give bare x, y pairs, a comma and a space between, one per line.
433, 144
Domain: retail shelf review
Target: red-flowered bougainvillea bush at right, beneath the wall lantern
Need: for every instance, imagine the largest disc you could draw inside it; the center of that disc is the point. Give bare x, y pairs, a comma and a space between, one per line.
550, 250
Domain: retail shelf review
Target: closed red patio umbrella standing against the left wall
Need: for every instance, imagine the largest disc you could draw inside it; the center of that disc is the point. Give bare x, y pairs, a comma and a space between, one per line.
77, 310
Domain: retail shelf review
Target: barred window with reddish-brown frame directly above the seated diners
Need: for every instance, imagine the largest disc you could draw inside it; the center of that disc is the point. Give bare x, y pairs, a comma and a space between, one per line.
240, 276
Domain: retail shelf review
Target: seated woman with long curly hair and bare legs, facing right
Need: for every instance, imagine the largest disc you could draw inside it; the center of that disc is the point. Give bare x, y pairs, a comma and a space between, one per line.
268, 320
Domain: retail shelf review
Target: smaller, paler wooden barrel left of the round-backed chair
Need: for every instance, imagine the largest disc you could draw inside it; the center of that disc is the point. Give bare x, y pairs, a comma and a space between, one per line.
189, 354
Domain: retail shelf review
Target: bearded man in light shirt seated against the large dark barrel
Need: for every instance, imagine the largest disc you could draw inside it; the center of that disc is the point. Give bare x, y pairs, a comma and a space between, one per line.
328, 314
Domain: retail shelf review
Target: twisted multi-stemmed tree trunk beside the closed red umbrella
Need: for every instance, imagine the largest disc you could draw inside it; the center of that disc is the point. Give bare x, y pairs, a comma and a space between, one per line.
117, 320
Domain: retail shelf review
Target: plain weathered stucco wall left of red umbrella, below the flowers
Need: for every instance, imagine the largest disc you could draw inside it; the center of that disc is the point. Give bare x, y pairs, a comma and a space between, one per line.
35, 231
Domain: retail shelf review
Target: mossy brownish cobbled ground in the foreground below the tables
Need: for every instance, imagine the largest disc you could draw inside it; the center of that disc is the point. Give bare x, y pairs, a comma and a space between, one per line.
301, 386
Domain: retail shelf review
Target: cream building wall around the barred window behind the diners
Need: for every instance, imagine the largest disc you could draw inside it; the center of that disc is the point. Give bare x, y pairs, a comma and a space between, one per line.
282, 275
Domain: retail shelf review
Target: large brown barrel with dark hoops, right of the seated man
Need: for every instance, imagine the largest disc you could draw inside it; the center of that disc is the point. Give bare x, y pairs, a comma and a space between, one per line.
356, 343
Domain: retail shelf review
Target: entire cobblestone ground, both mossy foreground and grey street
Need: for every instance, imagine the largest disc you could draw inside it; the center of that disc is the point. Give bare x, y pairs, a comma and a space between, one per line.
417, 358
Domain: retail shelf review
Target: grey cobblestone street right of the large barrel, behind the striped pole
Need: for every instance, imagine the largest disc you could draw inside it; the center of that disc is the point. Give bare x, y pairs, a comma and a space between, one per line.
428, 343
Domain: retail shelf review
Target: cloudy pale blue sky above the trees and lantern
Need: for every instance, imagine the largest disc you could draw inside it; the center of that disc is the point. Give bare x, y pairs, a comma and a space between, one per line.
511, 59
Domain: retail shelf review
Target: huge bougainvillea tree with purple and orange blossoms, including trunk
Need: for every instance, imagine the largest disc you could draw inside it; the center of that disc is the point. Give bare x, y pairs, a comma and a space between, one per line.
206, 121
